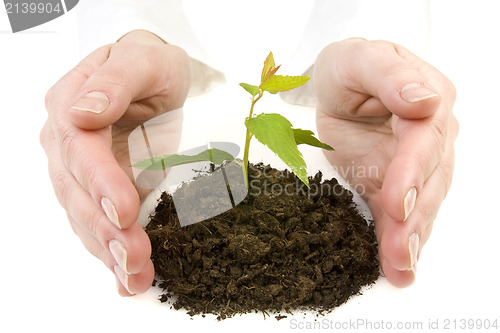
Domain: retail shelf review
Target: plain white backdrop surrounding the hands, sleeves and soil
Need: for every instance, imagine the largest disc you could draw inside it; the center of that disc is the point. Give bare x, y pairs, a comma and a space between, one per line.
49, 282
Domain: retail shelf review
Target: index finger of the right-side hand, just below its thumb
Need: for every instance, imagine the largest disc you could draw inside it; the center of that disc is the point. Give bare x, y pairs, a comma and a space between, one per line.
421, 147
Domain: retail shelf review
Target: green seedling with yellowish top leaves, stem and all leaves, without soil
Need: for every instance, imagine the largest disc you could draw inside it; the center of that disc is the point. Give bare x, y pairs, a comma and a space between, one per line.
271, 129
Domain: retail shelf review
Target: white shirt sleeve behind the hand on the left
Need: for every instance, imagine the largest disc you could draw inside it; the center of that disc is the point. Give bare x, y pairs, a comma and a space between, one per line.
103, 22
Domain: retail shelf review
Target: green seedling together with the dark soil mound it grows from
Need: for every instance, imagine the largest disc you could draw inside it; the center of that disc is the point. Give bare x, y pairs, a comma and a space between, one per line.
245, 240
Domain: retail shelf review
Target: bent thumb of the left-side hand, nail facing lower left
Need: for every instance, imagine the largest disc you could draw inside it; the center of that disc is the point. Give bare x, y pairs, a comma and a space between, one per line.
130, 73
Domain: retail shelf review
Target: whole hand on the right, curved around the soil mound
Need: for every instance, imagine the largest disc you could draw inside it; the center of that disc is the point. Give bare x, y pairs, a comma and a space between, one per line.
389, 116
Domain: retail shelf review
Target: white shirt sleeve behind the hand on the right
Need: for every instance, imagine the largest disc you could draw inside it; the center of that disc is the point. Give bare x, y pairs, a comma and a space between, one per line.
403, 22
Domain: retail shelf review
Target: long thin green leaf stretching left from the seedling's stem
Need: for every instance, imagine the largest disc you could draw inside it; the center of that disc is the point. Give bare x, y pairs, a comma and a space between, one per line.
213, 155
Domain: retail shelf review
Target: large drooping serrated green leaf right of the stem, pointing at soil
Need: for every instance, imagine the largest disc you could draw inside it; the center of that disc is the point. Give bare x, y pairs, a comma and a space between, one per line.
275, 131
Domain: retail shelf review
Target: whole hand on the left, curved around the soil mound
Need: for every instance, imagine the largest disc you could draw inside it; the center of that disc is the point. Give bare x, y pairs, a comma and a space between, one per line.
91, 111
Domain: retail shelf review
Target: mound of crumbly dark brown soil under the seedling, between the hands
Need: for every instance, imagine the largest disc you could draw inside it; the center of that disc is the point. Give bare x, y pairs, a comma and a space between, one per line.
272, 253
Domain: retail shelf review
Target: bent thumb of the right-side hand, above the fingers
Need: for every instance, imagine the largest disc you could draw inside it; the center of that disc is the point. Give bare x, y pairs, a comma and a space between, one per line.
358, 78
